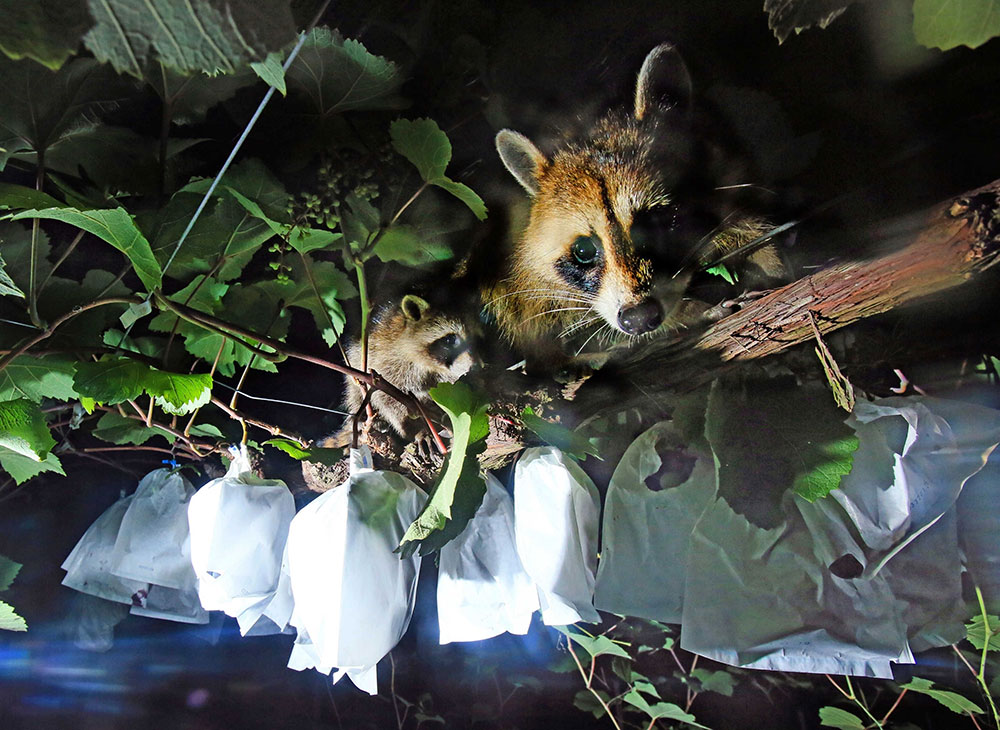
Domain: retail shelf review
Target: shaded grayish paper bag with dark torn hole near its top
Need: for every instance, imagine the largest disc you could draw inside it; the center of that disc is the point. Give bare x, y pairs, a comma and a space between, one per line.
646, 533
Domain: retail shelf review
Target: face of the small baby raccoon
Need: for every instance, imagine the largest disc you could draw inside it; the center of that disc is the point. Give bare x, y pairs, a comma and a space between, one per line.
443, 346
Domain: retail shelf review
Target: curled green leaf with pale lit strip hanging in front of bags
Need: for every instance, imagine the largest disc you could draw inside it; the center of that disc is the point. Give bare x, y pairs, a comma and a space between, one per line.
460, 487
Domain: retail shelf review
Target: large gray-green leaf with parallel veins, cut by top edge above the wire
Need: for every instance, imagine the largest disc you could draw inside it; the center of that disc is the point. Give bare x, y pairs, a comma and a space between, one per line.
197, 35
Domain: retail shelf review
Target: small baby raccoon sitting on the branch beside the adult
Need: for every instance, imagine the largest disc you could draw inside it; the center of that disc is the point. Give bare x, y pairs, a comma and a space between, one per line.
414, 346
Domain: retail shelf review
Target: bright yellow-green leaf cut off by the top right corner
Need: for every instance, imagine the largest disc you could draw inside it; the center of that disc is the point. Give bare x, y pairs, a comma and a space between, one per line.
946, 24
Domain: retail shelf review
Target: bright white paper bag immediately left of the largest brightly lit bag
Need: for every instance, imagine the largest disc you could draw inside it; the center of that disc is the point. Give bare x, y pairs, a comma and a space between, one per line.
239, 525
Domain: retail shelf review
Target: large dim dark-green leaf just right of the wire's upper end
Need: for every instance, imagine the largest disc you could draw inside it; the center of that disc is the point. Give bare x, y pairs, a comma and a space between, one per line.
338, 75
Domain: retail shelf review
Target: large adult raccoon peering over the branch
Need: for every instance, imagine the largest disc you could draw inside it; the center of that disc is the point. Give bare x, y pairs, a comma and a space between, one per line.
619, 222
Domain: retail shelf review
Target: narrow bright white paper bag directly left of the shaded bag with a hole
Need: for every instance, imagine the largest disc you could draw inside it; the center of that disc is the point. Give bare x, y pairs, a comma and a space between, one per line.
556, 513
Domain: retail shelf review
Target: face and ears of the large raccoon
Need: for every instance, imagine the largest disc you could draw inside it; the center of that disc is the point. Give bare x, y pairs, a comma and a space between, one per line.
604, 235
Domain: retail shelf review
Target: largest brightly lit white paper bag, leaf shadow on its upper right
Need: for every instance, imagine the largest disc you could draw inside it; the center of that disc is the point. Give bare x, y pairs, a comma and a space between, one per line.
353, 595
